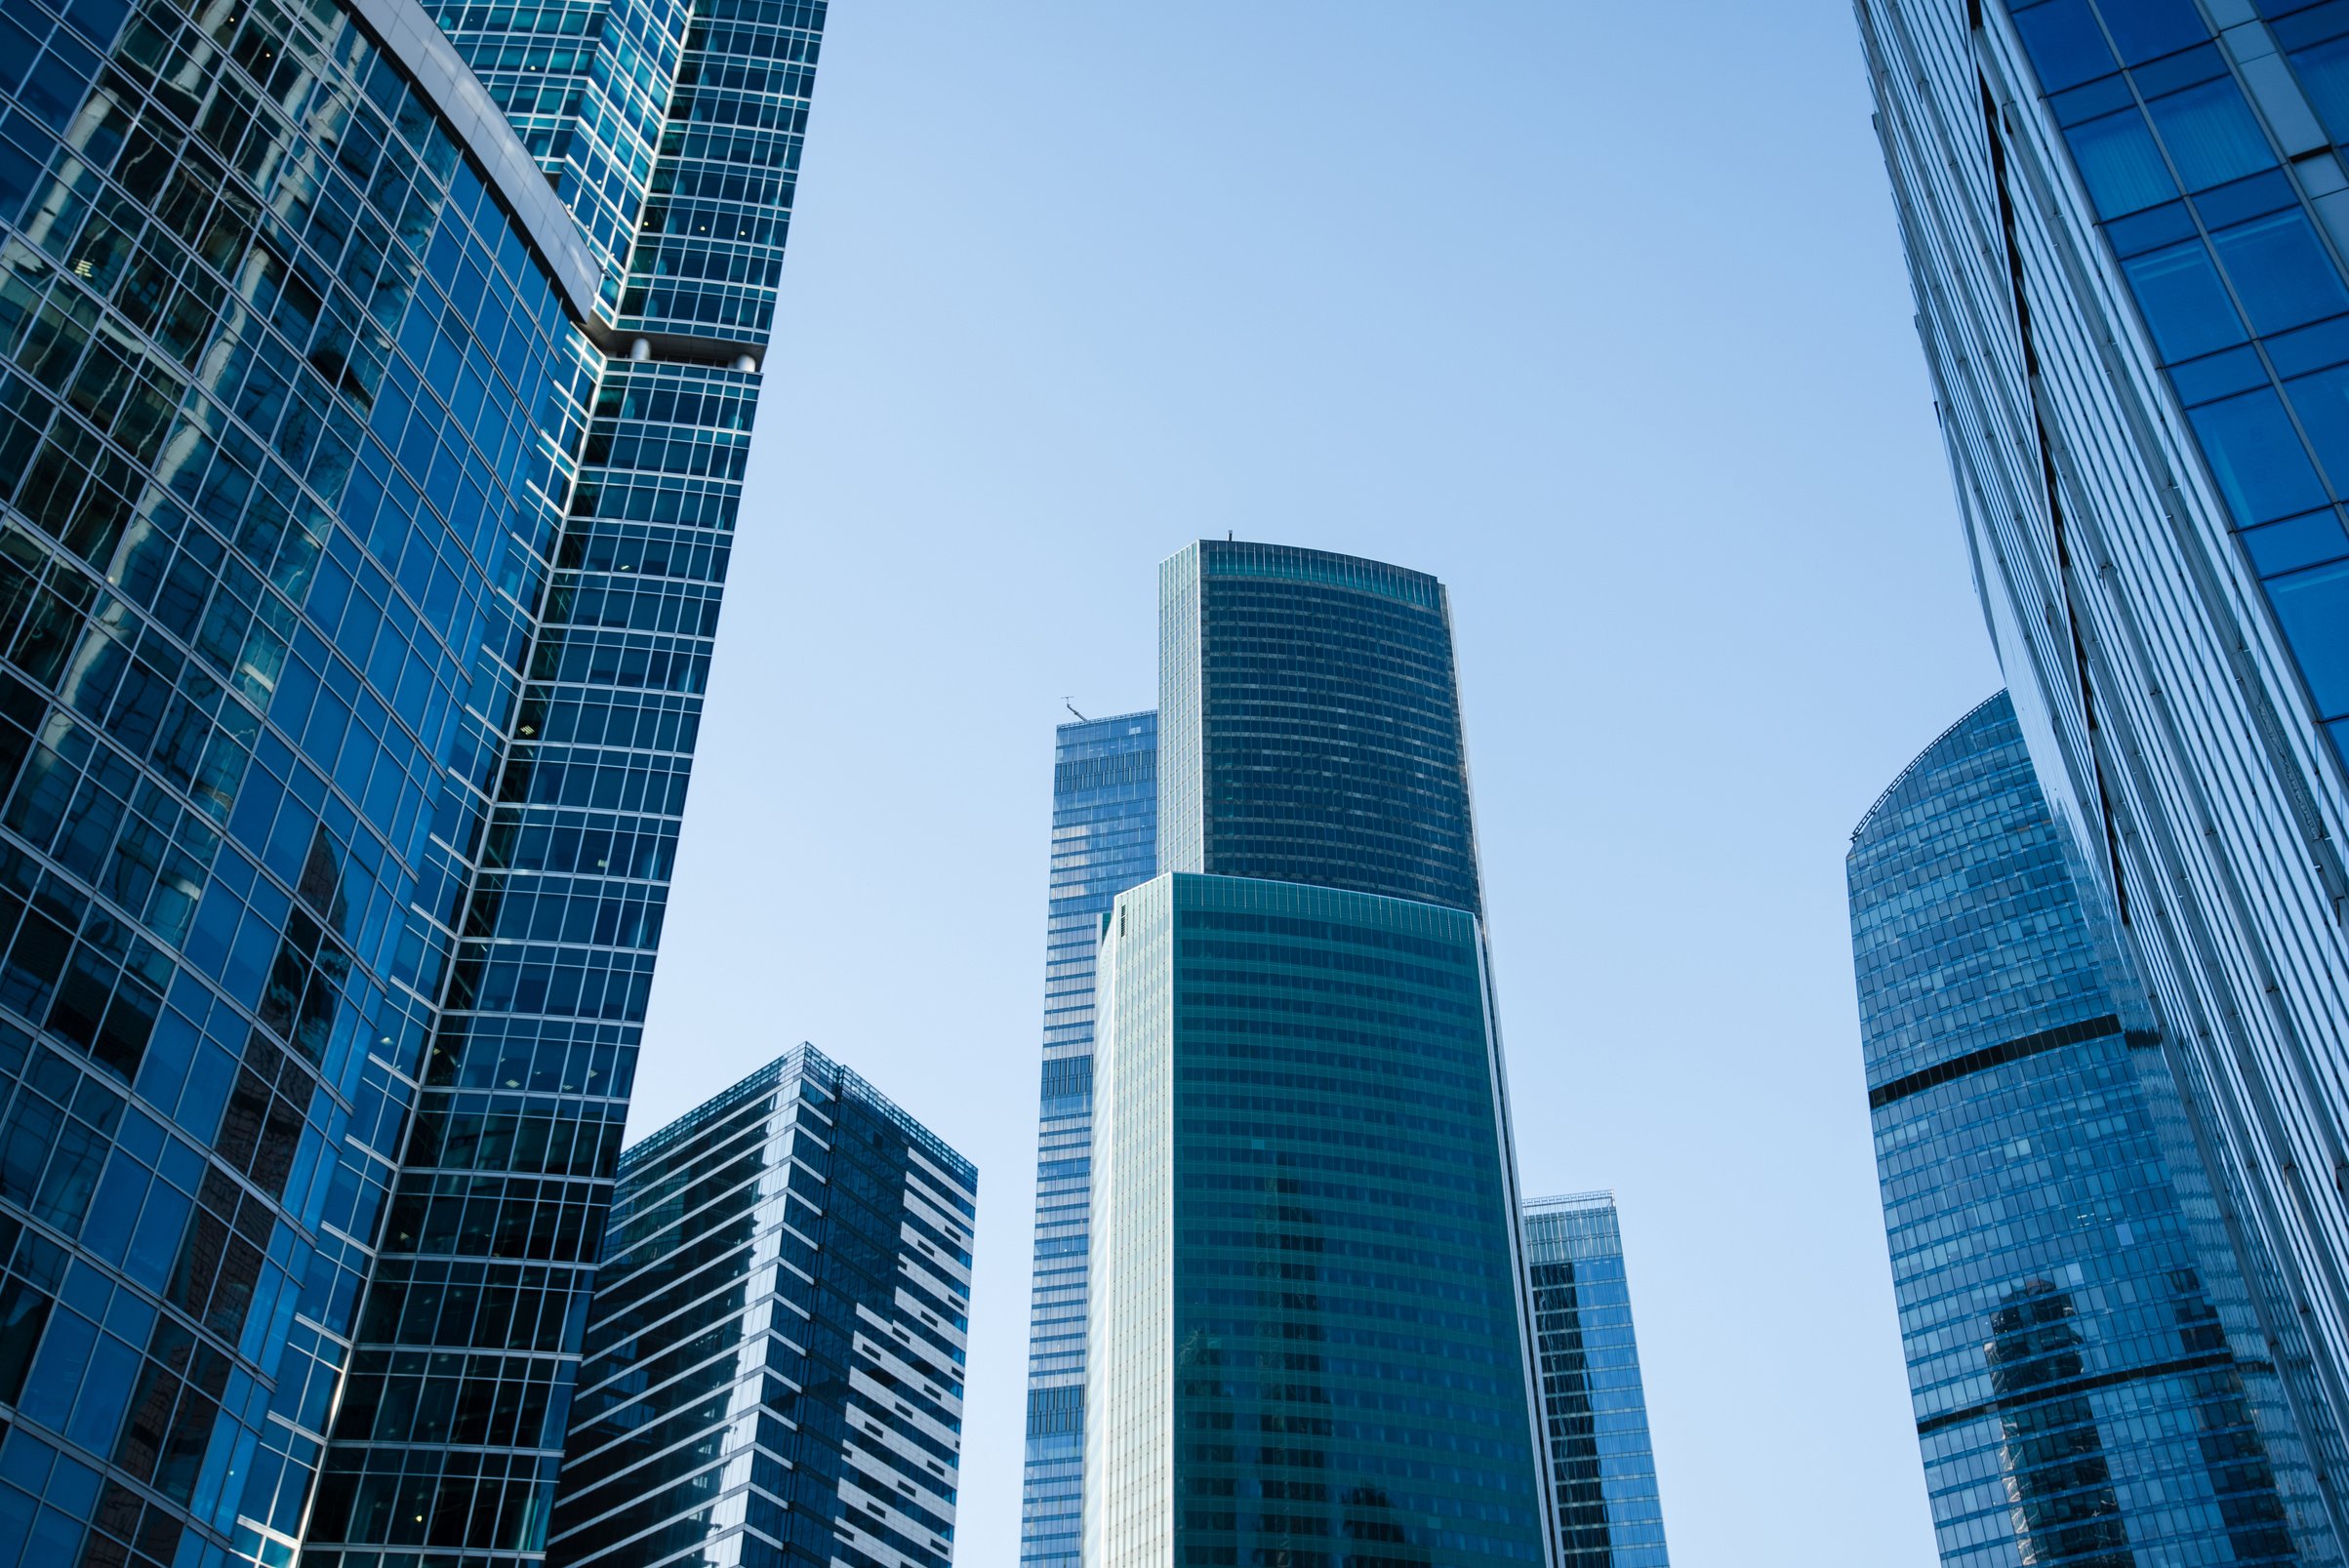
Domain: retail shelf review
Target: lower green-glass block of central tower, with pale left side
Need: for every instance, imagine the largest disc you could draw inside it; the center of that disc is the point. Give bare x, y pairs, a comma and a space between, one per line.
1307, 1337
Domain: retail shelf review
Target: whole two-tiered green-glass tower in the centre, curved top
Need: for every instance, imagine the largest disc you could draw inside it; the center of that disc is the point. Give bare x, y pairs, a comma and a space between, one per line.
1307, 1337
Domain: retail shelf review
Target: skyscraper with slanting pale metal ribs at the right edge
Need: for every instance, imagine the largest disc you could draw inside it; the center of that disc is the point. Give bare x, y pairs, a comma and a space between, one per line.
2127, 224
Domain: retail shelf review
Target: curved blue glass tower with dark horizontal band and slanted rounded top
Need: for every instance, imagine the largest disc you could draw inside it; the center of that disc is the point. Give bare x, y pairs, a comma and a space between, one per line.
2089, 1374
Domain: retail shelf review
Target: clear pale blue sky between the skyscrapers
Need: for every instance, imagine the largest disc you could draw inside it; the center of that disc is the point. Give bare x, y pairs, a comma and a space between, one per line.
1591, 311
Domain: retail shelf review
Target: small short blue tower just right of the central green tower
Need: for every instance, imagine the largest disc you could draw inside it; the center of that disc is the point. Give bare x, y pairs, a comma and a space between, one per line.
1603, 1471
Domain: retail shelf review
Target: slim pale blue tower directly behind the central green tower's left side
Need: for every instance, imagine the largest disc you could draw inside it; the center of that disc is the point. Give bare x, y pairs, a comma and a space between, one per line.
1105, 839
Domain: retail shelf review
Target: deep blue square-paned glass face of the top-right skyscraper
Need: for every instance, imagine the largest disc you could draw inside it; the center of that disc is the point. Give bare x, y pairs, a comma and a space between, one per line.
2233, 278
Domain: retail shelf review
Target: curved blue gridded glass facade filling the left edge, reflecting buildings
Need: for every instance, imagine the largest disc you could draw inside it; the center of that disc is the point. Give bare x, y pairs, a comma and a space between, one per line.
292, 412
